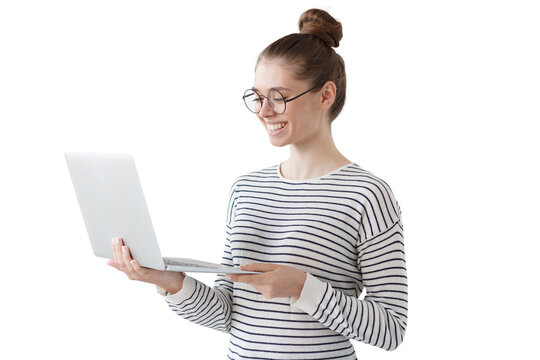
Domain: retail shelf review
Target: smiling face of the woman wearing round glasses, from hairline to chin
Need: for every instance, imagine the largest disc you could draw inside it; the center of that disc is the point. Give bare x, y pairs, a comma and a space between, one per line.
302, 119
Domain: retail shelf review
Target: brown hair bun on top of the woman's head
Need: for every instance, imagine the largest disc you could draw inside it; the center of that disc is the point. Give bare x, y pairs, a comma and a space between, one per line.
321, 24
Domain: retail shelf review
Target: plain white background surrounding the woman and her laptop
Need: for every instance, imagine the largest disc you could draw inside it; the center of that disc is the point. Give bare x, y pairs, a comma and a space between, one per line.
442, 101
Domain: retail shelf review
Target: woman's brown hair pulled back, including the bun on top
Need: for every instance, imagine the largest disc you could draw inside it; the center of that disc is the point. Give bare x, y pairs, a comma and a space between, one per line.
311, 55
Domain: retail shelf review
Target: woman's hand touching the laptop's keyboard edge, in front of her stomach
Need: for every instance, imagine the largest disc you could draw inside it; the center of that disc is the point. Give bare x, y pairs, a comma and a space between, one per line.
275, 281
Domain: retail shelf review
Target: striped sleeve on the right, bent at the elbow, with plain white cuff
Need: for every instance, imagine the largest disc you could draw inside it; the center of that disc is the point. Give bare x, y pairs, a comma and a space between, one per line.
380, 319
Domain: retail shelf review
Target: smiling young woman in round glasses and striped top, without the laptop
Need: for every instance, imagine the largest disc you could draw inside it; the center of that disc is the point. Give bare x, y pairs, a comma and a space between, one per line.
318, 227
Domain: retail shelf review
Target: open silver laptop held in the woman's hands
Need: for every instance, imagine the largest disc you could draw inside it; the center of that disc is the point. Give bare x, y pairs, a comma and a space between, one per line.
112, 203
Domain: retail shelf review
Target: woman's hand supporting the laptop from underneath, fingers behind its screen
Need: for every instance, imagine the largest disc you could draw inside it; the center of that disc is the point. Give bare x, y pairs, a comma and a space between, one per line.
168, 280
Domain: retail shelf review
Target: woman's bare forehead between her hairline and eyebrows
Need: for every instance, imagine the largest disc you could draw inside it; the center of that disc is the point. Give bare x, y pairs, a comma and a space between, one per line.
274, 74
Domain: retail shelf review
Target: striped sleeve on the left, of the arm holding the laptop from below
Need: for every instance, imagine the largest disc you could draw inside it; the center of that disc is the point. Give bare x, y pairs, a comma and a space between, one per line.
202, 304
